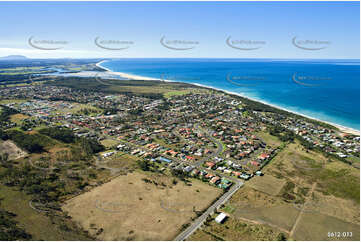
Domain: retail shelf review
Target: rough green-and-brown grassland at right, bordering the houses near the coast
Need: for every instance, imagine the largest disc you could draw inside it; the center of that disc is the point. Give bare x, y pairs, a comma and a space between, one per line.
304, 168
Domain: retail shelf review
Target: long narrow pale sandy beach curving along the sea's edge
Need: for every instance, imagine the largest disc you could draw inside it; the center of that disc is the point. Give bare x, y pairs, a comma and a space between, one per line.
342, 128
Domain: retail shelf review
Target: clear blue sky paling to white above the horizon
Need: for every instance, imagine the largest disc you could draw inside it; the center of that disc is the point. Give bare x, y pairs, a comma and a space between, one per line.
285, 30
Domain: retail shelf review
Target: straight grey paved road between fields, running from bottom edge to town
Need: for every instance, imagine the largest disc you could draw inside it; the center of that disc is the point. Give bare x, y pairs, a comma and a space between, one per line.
201, 219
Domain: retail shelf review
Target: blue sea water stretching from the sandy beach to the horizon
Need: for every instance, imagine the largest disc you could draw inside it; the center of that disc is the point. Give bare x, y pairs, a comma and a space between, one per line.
328, 90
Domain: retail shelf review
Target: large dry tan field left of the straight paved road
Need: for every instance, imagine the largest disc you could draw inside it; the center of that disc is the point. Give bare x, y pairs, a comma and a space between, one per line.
140, 206
